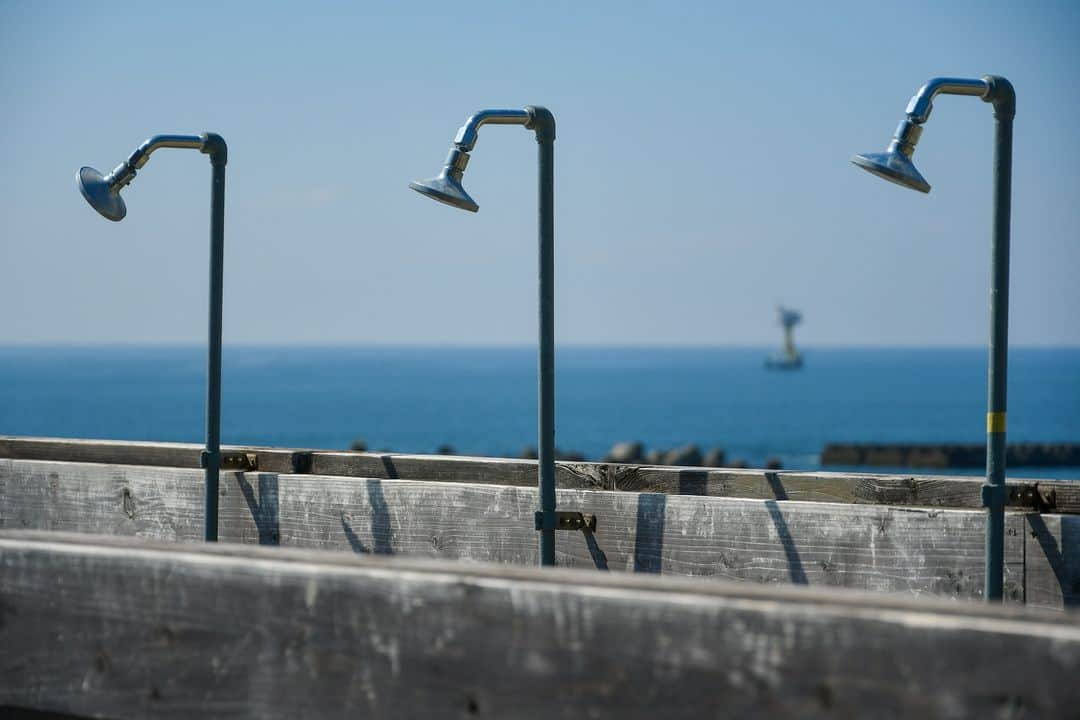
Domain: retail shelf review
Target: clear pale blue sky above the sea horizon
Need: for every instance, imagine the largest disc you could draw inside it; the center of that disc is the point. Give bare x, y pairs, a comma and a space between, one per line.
703, 170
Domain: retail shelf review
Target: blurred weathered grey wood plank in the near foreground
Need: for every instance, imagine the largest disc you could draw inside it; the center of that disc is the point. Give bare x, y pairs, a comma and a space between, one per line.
129, 630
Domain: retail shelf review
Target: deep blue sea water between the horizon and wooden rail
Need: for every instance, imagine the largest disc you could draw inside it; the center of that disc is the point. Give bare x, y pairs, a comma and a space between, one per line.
482, 401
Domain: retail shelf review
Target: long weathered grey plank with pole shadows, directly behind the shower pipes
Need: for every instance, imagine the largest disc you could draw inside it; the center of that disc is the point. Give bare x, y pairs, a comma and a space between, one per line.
883, 549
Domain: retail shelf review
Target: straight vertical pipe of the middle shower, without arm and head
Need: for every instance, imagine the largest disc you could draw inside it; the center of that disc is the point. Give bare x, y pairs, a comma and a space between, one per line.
547, 352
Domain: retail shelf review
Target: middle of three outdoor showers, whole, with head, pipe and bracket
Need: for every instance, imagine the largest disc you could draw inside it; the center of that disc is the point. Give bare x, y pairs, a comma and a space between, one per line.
447, 188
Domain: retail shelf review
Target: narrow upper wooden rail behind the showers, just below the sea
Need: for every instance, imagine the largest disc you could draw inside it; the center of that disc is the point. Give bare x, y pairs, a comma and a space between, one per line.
931, 492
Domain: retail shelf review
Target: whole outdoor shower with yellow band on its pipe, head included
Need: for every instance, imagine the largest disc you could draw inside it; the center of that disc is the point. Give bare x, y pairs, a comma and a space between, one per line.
896, 166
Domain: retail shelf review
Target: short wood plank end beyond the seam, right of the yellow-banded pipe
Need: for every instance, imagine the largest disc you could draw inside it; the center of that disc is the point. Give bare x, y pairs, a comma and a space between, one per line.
1052, 561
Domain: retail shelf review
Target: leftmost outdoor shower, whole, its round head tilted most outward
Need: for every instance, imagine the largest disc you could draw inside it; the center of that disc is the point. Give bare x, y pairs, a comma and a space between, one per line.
103, 194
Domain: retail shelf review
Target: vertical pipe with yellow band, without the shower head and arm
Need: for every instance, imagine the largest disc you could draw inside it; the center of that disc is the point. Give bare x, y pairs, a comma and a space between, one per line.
995, 494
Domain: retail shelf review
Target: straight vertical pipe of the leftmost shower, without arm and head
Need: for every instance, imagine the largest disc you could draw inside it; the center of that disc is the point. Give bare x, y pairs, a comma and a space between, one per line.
213, 456
